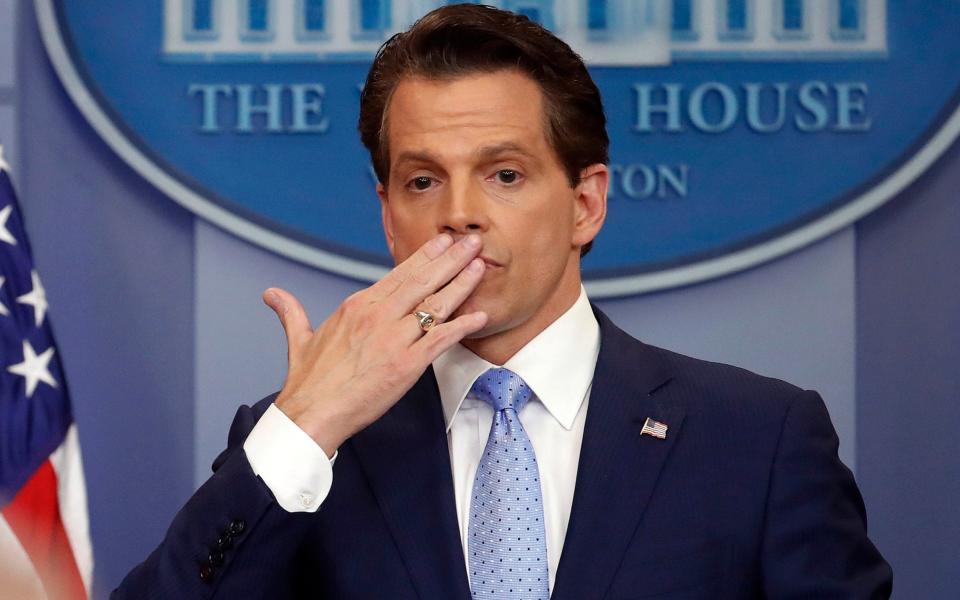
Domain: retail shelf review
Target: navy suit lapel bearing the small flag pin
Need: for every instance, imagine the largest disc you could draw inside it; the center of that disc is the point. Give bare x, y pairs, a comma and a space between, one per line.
618, 467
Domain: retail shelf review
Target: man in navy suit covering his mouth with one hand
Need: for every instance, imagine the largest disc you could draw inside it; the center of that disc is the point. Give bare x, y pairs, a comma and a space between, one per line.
589, 466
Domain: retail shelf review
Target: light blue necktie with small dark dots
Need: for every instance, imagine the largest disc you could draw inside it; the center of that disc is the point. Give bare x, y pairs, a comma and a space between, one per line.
507, 540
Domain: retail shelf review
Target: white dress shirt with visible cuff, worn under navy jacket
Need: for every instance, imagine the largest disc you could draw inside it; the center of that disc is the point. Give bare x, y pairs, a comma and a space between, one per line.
558, 367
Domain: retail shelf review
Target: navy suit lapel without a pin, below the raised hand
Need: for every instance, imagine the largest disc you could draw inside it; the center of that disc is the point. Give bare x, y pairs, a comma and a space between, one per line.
405, 457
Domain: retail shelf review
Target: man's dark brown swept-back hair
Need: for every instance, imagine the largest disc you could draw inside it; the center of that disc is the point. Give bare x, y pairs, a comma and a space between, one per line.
461, 39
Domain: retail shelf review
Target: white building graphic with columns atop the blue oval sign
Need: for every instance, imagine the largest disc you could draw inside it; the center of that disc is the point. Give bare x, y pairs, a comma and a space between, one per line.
610, 32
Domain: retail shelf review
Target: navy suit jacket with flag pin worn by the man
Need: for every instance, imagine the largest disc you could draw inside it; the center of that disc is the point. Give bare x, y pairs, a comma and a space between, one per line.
745, 498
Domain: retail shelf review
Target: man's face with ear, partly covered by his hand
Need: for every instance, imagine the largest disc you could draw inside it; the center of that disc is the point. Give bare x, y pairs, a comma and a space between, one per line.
470, 155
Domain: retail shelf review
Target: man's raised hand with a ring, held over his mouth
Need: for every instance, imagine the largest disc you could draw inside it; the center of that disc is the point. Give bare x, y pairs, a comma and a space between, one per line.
371, 350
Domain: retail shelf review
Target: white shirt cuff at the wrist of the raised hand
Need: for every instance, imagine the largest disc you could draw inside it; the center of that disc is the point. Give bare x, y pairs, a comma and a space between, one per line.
294, 467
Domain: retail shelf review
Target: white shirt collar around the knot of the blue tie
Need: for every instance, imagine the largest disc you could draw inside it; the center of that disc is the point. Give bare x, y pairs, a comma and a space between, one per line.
557, 364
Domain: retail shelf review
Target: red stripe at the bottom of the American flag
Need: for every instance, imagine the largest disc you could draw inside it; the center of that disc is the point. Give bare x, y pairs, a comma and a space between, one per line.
34, 517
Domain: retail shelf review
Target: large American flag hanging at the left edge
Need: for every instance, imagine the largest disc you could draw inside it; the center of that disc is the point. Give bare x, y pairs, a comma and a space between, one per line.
45, 547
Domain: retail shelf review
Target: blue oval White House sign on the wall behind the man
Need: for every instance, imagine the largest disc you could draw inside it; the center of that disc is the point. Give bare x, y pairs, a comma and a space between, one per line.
740, 130
